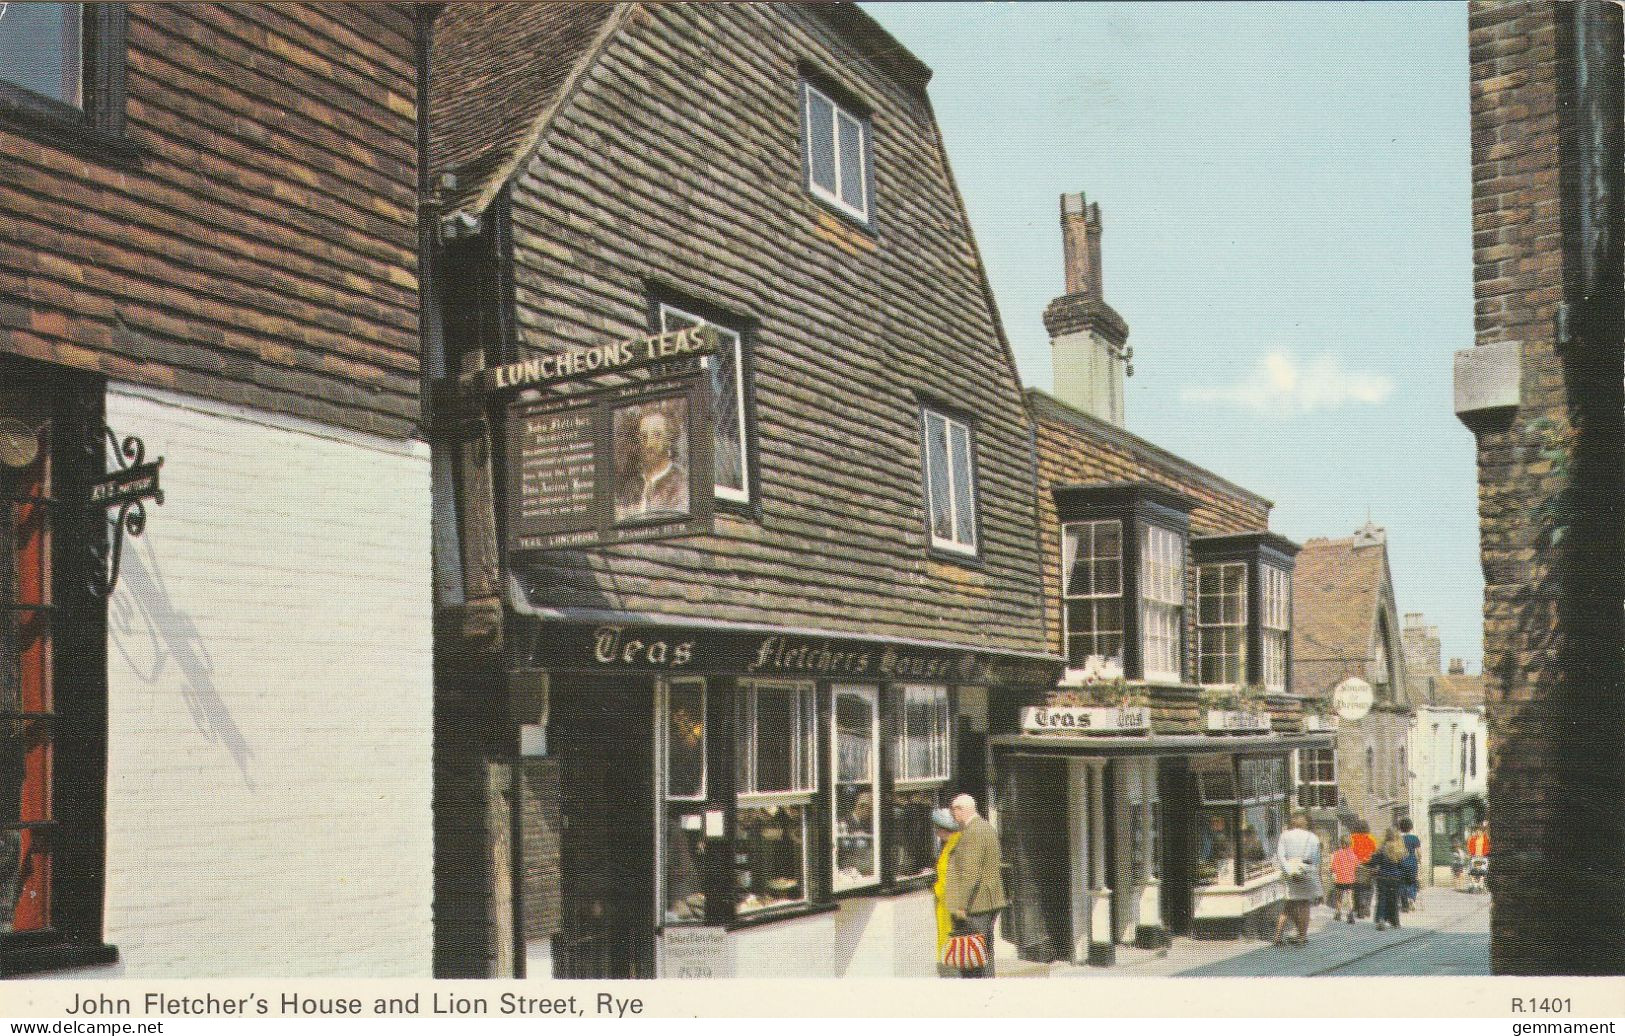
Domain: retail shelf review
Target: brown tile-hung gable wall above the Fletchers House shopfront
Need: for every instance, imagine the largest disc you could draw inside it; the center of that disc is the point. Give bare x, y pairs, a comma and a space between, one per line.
678, 165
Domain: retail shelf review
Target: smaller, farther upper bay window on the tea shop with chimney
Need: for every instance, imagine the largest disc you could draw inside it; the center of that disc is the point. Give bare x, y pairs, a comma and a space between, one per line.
1244, 610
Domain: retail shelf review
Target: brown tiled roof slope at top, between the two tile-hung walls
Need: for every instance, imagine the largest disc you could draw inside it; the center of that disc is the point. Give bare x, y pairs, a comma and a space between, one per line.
498, 74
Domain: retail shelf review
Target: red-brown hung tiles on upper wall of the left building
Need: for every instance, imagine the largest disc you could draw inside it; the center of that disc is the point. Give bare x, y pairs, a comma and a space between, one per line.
262, 249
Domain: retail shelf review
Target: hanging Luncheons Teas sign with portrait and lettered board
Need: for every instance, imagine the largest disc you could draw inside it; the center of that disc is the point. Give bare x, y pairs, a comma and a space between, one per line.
612, 465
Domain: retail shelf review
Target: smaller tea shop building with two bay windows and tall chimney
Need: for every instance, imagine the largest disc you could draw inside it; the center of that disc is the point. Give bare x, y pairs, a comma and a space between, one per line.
1145, 793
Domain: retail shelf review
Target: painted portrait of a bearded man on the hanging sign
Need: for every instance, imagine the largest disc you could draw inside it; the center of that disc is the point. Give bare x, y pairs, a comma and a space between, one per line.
652, 460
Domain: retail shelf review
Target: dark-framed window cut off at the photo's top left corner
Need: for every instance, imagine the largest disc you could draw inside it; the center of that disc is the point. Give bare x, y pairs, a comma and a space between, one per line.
63, 72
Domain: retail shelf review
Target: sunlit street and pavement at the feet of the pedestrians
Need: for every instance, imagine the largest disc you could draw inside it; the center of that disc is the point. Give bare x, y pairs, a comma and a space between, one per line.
1449, 935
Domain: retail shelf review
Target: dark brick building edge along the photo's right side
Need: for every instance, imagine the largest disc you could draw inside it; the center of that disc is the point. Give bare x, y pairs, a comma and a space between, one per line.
1543, 394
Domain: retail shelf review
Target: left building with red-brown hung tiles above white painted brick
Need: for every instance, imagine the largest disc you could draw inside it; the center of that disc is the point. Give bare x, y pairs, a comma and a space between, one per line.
220, 769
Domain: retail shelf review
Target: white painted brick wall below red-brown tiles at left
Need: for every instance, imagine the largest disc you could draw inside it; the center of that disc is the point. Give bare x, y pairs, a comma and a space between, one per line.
271, 702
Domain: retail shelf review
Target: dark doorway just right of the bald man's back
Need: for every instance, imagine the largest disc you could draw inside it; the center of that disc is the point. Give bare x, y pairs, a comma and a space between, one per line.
1038, 855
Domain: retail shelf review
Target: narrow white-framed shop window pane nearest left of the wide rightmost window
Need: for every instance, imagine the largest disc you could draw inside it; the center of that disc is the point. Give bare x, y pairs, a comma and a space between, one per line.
857, 837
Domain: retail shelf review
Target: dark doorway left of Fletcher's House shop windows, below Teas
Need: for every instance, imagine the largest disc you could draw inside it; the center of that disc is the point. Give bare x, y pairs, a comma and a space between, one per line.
604, 736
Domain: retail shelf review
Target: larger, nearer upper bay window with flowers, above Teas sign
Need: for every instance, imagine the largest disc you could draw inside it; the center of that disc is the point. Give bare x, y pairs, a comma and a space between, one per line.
1124, 579
